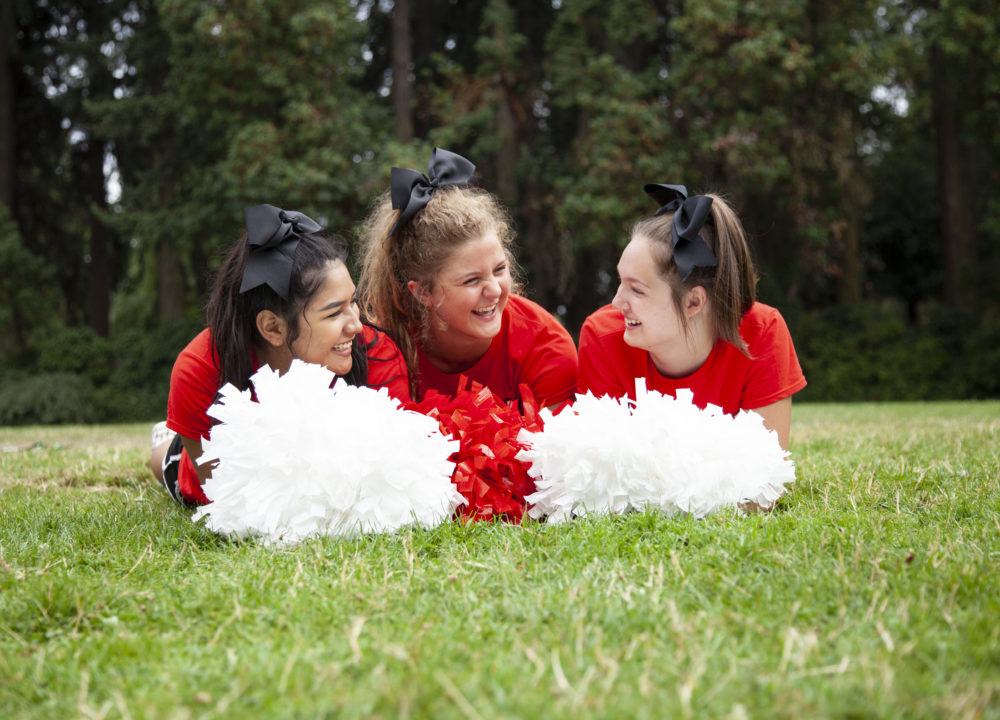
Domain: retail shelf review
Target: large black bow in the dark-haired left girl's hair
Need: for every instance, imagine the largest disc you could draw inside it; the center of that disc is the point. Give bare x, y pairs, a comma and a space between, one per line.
273, 235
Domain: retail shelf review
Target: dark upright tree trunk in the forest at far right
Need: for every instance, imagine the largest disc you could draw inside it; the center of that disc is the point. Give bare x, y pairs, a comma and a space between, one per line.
956, 223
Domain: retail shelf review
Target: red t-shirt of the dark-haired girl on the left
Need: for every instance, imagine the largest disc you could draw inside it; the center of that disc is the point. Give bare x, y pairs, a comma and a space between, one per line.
194, 384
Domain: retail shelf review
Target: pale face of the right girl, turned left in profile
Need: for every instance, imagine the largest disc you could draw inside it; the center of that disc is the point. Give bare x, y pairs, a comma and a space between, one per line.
652, 322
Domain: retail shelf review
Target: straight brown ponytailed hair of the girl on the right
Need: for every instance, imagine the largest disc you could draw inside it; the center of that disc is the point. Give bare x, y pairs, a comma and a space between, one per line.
731, 284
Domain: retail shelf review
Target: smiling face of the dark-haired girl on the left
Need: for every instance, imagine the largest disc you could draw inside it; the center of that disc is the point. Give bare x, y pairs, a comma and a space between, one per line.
329, 322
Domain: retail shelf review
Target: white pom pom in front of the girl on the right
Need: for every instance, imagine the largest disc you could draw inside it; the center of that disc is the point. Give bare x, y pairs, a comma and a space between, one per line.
607, 455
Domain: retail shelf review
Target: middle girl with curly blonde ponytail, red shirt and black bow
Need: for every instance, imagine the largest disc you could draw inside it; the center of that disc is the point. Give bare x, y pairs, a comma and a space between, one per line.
437, 274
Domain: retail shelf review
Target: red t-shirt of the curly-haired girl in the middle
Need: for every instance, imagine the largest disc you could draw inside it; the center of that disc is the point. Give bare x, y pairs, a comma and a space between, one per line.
532, 348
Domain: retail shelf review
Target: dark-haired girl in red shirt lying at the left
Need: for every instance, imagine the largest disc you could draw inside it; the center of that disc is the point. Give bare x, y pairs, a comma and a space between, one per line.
283, 292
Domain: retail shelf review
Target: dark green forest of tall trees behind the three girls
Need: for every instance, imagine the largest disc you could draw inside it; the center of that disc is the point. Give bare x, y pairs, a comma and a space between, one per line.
859, 142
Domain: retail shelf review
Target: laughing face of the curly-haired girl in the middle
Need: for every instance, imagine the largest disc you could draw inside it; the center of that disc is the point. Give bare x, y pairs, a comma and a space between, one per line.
471, 291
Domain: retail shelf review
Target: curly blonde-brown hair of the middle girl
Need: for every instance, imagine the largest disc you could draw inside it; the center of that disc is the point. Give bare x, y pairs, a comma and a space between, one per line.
418, 251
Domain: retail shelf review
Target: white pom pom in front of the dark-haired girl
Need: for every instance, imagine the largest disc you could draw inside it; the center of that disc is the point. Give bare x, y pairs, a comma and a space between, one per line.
308, 459
